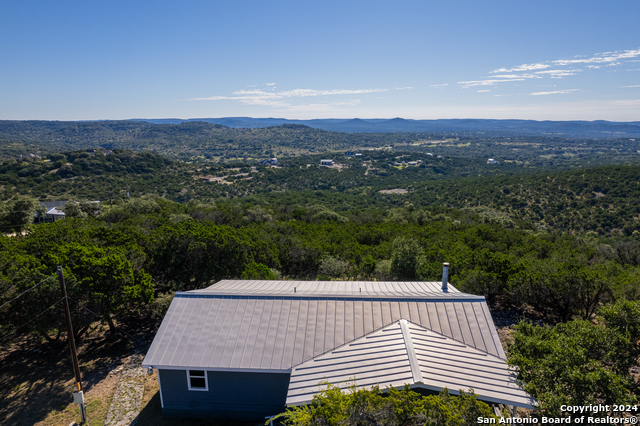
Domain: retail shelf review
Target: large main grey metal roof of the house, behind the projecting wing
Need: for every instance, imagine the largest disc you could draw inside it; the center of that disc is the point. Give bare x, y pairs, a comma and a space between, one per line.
266, 326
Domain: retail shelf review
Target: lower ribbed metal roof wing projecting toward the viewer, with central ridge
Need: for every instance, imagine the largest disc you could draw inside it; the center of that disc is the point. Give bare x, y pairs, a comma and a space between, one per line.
406, 353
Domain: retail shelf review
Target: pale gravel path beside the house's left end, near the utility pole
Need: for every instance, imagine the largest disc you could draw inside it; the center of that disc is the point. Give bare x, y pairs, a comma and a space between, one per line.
127, 400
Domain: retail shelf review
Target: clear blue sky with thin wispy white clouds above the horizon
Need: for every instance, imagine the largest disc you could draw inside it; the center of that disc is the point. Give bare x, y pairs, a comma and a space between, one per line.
542, 60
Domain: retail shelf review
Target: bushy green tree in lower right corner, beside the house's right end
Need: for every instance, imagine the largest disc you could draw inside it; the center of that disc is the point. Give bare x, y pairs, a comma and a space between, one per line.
579, 363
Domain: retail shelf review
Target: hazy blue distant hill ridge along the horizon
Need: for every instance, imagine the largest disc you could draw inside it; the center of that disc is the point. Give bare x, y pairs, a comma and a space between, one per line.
583, 129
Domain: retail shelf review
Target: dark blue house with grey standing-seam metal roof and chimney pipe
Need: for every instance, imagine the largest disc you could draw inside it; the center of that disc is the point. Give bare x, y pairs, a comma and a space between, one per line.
243, 349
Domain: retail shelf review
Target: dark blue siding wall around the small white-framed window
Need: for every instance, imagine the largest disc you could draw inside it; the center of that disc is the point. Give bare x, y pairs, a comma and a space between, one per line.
242, 396
